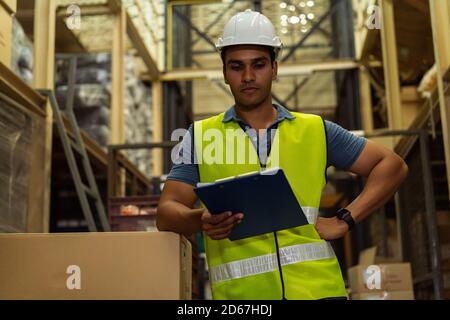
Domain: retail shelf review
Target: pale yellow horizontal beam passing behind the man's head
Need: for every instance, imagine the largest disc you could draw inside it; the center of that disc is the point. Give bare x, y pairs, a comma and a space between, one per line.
285, 70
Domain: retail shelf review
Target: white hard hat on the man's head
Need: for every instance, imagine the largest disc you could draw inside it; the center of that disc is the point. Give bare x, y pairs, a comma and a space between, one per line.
249, 27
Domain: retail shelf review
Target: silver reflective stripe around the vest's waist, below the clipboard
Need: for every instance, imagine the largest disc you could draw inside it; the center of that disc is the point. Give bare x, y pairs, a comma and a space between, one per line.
268, 263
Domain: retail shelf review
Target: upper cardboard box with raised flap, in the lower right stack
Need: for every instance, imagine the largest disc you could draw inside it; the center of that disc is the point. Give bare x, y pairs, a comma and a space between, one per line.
372, 275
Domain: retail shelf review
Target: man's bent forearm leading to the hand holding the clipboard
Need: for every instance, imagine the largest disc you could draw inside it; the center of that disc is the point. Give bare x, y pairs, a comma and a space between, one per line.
176, 217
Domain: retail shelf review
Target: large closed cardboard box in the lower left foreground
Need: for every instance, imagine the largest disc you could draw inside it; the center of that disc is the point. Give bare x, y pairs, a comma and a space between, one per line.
108, 265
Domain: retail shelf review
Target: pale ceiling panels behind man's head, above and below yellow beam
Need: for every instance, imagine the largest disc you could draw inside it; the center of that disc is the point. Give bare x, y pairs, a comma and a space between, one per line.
293, 20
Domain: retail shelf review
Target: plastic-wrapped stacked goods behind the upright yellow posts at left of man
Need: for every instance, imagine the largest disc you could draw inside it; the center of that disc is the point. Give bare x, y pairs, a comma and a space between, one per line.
93, 101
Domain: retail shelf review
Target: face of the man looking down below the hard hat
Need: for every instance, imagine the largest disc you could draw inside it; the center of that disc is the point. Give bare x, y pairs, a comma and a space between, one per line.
249, 73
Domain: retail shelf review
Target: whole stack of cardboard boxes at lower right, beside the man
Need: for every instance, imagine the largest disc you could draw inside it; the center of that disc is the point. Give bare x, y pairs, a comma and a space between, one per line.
373, 279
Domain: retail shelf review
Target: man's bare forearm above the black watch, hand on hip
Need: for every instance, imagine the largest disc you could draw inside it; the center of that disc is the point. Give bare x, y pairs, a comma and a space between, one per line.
382, 183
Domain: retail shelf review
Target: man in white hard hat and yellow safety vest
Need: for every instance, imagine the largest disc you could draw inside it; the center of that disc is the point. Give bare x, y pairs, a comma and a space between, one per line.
297, 263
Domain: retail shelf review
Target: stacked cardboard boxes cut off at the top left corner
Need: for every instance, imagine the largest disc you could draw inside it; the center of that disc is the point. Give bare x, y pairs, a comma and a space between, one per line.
7, 8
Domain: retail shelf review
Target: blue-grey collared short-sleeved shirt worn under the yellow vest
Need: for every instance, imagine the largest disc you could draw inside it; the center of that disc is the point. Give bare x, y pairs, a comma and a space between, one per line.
343, 147
